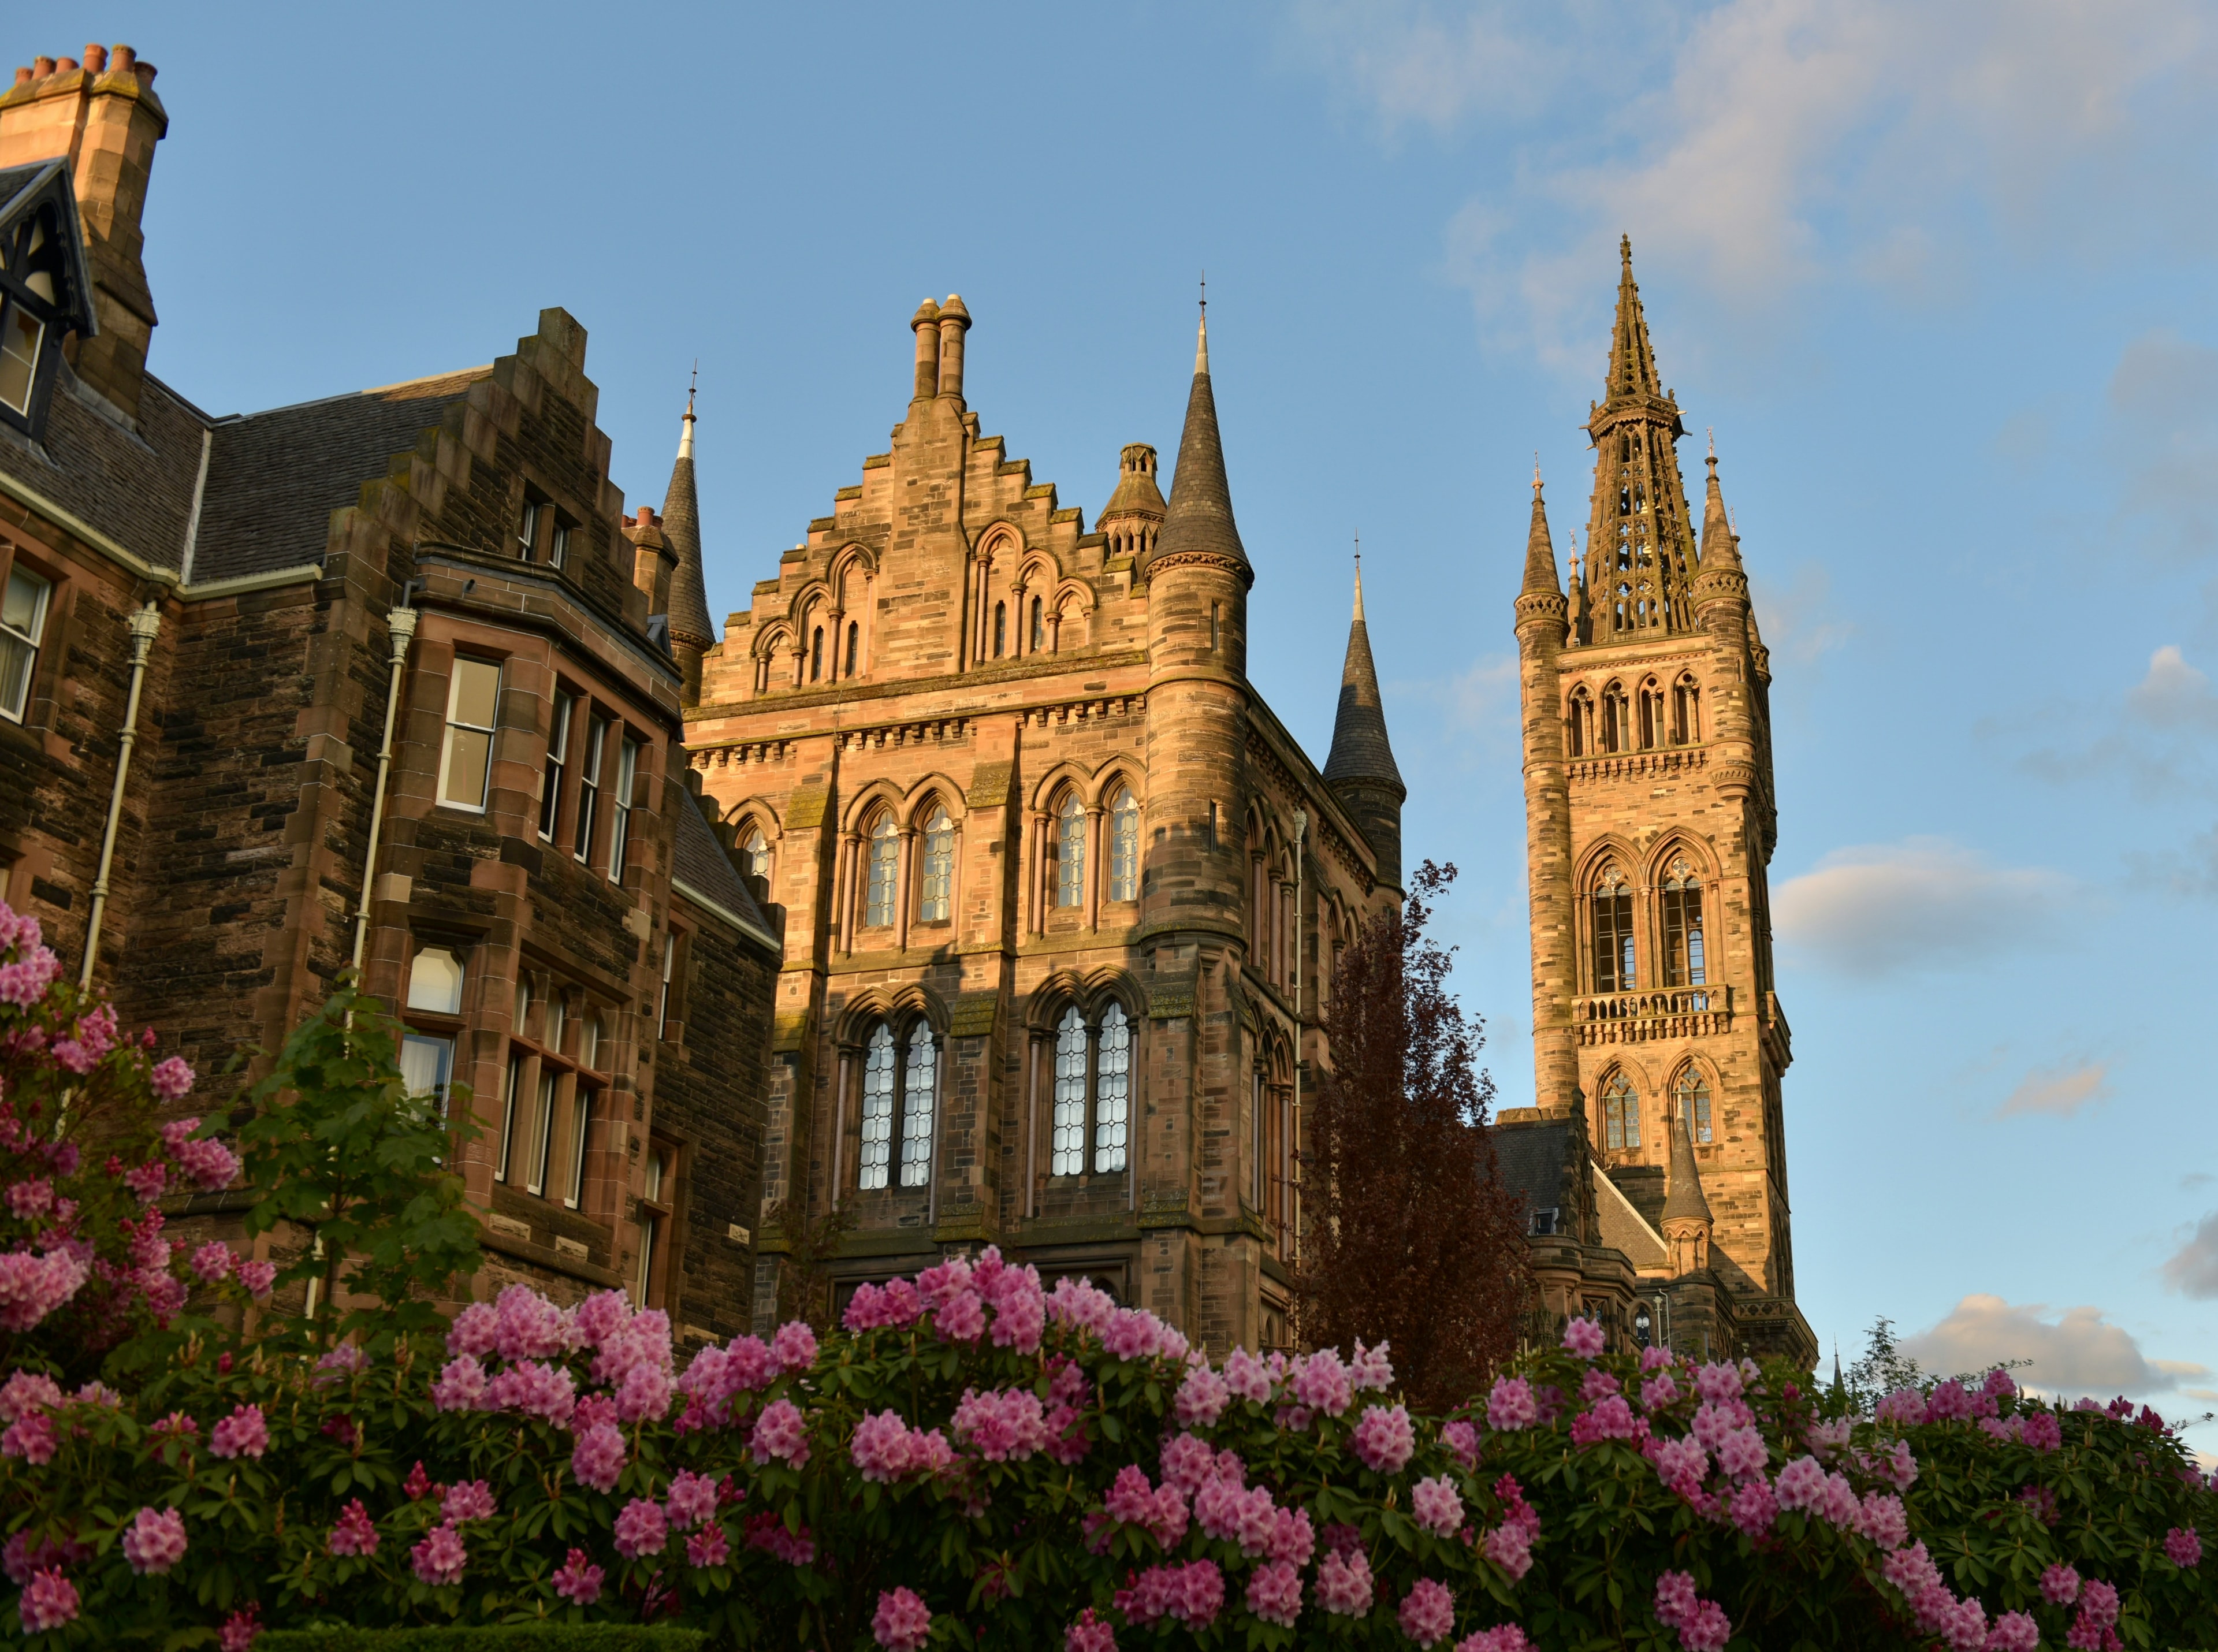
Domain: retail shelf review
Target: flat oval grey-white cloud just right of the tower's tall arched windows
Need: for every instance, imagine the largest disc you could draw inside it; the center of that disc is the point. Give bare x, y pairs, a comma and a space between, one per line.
1924, 904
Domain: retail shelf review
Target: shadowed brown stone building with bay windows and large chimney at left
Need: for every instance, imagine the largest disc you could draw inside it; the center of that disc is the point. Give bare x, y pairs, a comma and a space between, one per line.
383, 680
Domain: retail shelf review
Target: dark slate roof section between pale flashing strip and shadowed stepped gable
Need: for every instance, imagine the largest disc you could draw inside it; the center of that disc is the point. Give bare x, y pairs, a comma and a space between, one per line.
276, 478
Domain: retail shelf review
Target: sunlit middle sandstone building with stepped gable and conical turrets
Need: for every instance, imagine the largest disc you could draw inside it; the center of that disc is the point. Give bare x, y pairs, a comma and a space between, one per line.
1061, 895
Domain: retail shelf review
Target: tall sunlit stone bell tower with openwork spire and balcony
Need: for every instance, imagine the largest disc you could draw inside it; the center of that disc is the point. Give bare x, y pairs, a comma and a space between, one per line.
1649, 830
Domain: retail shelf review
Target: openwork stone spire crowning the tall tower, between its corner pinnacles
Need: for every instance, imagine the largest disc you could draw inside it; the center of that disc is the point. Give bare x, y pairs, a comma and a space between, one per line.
1640, 551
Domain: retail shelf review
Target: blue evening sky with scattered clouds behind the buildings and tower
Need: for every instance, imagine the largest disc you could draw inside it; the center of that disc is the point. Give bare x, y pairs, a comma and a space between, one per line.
1937, 276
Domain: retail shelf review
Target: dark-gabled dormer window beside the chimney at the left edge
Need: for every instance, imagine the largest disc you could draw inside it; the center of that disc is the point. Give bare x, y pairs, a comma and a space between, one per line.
45, 289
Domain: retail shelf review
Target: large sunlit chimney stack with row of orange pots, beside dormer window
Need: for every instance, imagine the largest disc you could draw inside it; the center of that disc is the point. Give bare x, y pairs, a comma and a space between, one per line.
105, 121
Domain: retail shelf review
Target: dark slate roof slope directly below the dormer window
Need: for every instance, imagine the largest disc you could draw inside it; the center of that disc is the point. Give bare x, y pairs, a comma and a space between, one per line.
132, 487
